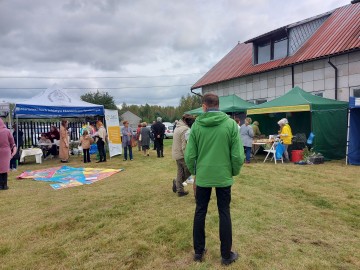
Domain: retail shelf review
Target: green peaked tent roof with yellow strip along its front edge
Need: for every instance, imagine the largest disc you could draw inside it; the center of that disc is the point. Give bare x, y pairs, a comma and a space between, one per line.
297, 100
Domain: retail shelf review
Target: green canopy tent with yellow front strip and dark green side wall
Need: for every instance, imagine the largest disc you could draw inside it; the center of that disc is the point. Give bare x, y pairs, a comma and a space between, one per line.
306, 113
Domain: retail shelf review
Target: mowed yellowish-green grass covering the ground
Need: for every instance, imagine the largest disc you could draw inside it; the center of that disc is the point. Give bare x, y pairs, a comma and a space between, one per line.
284, 216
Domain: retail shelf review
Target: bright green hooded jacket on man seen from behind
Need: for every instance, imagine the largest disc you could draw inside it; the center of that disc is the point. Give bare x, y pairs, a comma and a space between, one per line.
214, 152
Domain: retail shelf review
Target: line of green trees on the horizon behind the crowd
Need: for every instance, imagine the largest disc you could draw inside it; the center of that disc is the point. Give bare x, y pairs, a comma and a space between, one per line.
146, 112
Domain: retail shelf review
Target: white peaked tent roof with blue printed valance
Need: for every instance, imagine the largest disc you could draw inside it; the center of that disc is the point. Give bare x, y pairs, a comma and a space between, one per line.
55, 102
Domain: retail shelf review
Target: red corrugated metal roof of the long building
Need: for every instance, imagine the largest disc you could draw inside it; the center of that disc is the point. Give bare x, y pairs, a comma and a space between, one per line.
340, 33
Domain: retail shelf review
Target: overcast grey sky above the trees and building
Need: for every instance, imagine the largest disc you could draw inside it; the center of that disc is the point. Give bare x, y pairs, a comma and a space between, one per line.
163, 47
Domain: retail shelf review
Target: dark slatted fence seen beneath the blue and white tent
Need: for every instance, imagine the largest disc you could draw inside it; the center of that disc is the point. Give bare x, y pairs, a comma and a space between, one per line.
32, 130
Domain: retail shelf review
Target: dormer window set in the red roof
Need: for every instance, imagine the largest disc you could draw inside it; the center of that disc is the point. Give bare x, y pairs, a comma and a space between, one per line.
271, 49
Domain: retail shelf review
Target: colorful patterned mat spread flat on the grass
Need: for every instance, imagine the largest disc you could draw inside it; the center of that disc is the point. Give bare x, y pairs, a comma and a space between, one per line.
65, 176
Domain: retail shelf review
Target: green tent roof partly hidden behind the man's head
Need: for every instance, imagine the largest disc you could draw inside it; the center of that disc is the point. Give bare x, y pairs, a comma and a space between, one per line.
228, 104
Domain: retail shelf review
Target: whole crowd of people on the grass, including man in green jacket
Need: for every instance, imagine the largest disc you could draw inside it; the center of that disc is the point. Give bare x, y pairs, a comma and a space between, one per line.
214, 152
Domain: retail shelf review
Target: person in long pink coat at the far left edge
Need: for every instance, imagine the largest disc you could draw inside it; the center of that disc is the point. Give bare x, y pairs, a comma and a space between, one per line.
7, 151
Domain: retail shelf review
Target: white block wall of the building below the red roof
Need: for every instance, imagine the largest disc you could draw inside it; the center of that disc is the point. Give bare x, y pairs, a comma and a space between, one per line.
315, 77
